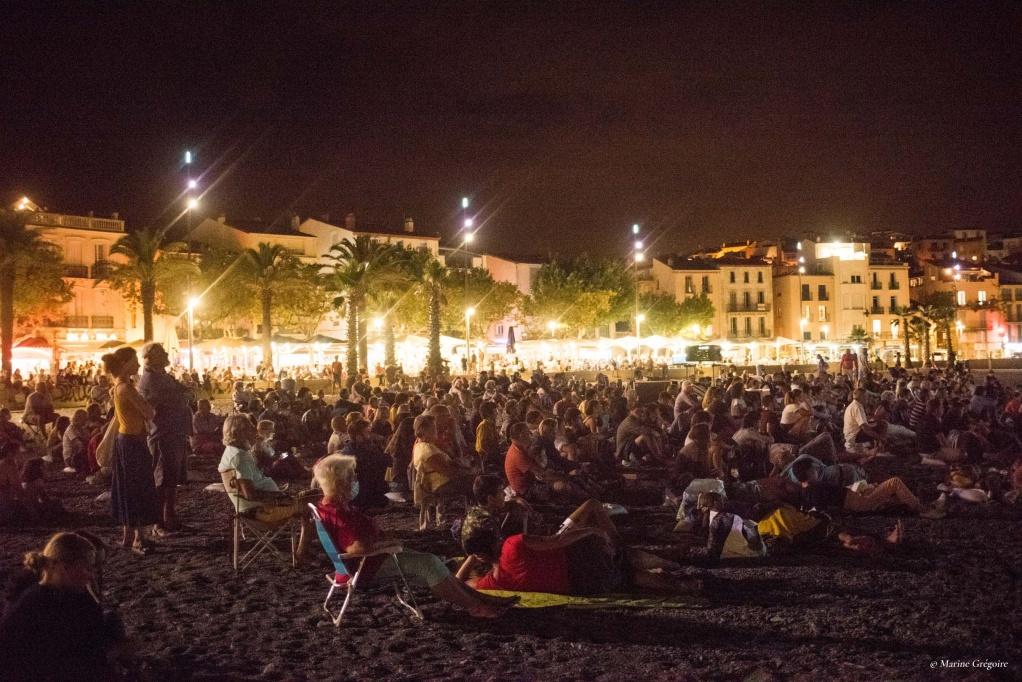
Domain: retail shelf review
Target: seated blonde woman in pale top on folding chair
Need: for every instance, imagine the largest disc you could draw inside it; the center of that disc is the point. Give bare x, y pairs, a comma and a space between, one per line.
251, 491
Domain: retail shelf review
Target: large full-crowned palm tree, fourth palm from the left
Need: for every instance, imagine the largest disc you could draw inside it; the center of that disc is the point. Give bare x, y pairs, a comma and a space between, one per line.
358, 267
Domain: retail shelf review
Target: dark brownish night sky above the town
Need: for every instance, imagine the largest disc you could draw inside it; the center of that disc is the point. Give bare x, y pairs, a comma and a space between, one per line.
565, 122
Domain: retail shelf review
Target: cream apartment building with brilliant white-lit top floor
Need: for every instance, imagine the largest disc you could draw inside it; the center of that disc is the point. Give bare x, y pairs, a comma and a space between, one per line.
835, 288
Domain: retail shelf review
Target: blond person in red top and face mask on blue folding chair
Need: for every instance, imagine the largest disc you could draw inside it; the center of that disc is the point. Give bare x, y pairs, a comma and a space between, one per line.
355, 533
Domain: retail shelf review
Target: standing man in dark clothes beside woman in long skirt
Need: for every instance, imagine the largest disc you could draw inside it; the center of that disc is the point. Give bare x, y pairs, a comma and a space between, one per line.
169, 431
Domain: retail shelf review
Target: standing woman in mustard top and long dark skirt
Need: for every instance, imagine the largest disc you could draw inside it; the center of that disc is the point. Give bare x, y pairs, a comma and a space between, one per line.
133, 497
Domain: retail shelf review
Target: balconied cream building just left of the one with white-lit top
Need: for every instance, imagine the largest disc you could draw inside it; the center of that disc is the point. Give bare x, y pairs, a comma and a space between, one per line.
739, 289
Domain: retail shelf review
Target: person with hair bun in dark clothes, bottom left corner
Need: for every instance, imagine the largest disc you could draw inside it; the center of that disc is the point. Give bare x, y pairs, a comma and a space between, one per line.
54, 628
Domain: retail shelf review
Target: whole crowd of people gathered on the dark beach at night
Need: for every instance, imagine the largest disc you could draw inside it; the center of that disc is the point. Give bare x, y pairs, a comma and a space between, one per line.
527, 473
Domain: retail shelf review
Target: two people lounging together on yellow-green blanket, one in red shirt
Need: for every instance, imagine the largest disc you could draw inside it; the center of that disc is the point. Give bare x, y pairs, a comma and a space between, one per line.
585, 558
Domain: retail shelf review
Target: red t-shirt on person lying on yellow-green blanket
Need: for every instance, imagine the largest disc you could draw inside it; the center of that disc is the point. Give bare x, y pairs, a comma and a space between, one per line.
528, 570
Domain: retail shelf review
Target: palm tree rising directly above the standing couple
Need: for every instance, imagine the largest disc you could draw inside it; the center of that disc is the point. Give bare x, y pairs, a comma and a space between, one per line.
151, 265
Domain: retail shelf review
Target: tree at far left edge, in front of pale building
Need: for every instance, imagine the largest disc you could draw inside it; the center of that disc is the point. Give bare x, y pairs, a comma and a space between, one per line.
30, 279
